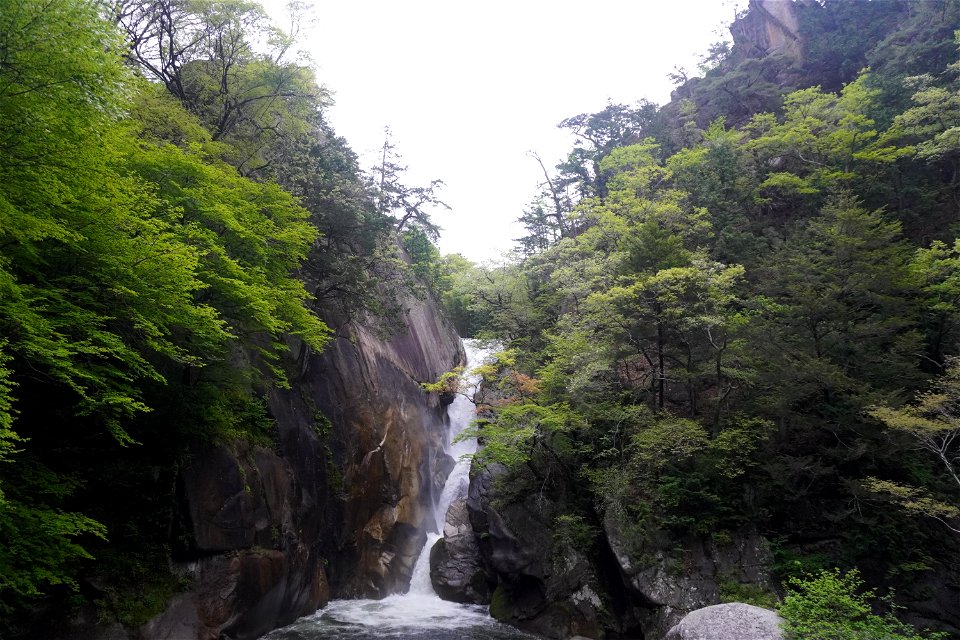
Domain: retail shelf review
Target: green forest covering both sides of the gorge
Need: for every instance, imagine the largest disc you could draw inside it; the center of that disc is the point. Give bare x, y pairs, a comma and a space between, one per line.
736, 311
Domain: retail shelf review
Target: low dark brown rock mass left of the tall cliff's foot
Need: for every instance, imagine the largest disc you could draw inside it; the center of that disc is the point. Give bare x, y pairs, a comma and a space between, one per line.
243, 551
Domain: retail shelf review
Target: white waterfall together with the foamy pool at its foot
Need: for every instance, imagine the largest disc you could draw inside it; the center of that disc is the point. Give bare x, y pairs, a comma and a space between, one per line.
418, 614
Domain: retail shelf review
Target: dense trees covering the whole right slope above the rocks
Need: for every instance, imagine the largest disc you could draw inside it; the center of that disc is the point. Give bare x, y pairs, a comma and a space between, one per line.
739, 311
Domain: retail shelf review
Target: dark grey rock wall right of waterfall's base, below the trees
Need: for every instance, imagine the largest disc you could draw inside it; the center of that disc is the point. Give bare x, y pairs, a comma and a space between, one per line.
596, 583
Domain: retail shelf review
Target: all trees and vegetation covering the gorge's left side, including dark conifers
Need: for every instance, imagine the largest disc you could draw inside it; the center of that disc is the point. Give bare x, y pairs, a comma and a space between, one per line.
174, 208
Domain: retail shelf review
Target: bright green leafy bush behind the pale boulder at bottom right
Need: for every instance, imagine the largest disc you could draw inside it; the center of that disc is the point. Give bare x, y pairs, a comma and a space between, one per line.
834, 606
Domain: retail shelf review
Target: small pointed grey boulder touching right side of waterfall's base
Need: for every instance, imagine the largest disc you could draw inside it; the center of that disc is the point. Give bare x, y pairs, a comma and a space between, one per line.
456, 566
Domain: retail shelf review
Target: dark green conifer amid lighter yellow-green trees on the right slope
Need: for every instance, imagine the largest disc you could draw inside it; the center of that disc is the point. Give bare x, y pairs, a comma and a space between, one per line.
838, 319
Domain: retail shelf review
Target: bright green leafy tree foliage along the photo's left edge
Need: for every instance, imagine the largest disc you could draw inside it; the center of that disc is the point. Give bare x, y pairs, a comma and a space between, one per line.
146, 282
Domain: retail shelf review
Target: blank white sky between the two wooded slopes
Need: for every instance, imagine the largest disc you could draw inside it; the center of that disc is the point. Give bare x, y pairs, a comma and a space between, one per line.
469, 89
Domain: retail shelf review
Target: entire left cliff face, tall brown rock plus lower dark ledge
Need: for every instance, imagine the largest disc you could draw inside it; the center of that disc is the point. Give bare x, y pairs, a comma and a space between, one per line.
337, 506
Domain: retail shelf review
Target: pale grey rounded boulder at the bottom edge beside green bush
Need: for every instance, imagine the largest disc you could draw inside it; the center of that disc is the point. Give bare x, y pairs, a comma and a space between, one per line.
733, 621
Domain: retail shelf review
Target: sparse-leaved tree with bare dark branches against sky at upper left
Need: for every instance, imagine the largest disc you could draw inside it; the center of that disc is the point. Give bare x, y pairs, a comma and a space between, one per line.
204, 53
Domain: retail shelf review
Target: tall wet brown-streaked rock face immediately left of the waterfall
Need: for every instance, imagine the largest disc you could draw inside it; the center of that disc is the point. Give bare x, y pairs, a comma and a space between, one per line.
384, 449
